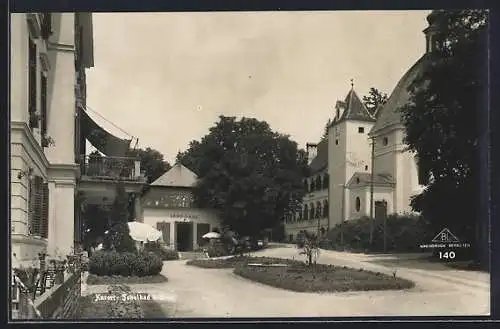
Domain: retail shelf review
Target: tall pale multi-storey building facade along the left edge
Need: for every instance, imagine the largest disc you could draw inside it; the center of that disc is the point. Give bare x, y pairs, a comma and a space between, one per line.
49, 55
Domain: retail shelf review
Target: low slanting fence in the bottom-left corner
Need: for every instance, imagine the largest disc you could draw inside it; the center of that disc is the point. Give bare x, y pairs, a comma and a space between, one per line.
59, 302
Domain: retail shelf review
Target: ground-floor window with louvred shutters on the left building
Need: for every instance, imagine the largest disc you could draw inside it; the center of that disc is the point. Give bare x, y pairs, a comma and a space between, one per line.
38, 207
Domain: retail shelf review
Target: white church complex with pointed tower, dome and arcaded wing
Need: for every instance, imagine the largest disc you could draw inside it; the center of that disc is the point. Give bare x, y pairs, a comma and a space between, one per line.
366, 153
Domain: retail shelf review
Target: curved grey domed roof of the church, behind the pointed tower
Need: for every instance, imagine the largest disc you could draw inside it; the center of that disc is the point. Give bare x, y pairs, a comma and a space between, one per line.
389, 114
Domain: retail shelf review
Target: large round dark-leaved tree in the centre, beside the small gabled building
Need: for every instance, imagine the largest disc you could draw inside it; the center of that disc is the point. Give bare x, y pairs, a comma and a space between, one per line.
250, 174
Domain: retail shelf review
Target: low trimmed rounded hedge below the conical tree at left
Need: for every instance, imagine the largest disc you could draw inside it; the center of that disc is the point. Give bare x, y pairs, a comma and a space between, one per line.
108, 263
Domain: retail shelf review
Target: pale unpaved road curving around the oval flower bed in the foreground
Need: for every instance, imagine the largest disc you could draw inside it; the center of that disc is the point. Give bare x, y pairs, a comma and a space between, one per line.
440, 291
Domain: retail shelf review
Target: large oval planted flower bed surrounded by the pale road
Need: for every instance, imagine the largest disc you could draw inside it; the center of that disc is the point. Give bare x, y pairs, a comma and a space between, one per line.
298, 276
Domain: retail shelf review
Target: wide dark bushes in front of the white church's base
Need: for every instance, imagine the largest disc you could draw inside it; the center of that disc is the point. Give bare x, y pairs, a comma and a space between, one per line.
405, 233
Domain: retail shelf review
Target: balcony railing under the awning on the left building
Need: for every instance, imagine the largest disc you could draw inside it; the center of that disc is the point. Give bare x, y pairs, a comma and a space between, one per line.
111, 168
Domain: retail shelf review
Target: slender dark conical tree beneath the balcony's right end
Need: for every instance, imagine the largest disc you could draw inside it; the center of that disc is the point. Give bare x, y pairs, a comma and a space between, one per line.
118, 237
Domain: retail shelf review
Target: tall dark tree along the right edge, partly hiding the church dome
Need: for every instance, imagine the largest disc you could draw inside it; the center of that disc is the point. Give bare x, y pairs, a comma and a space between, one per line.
442, 125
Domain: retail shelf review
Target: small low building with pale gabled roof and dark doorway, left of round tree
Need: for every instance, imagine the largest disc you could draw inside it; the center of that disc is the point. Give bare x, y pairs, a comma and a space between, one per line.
168, 206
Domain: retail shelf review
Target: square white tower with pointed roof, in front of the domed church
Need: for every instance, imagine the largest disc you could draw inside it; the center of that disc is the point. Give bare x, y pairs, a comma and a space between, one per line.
348, 151
